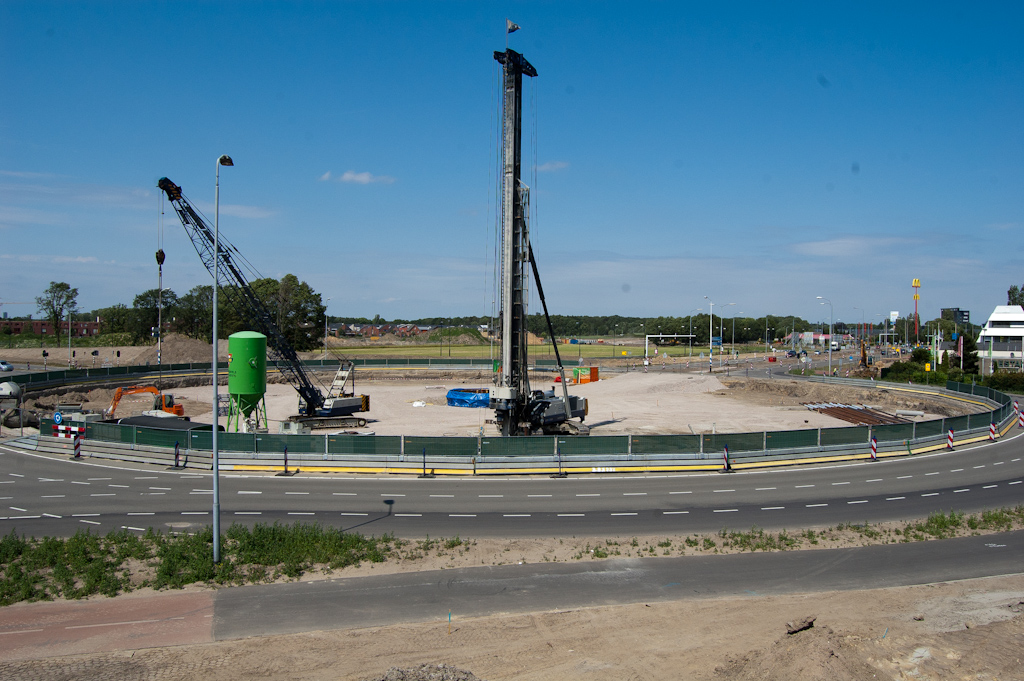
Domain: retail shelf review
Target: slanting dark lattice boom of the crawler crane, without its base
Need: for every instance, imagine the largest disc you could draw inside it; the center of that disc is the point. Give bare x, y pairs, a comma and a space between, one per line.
247, 305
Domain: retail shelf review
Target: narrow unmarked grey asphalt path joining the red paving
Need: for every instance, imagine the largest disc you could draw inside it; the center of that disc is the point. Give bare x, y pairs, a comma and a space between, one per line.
373, 602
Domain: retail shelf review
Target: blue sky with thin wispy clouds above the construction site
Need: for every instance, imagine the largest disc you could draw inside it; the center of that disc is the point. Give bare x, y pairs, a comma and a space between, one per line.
749, 153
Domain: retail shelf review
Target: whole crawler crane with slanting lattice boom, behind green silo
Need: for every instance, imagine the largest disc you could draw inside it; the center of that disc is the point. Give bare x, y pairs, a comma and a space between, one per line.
317, 410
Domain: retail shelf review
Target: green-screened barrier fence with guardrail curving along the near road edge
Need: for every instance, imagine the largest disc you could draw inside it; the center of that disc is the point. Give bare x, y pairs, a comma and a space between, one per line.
510, 454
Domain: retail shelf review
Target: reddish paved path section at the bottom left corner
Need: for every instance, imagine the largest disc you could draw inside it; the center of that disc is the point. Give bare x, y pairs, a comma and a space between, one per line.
45, 630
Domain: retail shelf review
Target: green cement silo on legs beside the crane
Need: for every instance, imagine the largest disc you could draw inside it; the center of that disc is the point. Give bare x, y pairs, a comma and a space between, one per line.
247, 380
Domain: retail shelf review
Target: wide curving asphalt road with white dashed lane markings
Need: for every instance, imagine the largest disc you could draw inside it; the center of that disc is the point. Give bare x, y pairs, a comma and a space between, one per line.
47, 495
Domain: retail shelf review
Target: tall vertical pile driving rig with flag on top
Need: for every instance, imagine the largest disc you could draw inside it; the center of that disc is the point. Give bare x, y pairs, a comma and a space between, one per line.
520, 411
